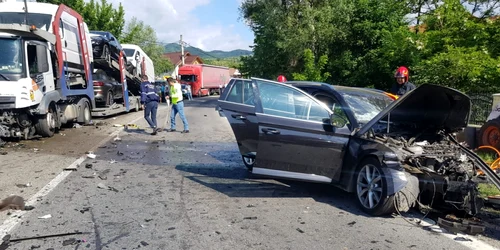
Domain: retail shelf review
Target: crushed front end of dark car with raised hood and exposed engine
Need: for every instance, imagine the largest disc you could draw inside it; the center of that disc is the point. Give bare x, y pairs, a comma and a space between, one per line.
419, 130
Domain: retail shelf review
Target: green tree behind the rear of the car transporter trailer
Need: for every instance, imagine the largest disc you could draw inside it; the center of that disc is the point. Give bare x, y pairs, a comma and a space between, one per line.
144, 36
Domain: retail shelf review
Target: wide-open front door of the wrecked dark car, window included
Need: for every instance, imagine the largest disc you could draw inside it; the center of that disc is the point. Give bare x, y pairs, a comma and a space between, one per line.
295, 138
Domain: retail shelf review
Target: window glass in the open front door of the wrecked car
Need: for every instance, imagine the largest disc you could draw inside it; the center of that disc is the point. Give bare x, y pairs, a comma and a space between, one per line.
285, 101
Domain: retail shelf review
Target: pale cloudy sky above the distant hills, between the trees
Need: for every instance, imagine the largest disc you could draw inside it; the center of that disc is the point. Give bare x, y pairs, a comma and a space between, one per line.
171, 18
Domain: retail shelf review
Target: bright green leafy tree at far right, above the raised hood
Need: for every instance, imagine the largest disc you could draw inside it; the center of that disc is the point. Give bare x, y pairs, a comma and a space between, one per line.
459, 49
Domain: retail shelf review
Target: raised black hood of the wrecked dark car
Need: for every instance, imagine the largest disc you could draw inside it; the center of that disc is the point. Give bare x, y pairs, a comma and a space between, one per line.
429, 107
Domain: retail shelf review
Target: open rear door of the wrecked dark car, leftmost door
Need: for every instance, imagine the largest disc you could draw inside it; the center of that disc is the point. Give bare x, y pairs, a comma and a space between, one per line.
237, 104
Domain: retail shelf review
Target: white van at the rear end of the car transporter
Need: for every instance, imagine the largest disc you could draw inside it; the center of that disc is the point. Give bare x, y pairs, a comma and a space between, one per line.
135, 55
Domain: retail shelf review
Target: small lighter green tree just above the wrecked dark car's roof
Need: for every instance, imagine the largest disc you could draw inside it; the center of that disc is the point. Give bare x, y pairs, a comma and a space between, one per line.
312, 71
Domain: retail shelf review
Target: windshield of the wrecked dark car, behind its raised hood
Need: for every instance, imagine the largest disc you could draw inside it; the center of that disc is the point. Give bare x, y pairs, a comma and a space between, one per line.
365, 104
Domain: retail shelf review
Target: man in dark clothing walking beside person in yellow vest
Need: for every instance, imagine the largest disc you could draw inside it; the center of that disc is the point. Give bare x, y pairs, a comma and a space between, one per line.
149, 101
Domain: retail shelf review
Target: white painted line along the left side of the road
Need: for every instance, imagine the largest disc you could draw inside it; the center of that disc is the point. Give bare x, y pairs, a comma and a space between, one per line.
17, 216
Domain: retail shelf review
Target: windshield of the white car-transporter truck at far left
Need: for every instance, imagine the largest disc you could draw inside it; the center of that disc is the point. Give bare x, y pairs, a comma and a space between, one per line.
10, 56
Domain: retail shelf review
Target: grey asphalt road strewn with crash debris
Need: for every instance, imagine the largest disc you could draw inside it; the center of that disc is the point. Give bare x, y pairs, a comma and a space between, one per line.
183, 191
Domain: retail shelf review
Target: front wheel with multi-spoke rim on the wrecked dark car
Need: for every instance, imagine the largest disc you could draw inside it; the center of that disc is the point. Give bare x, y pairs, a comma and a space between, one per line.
371, 189
